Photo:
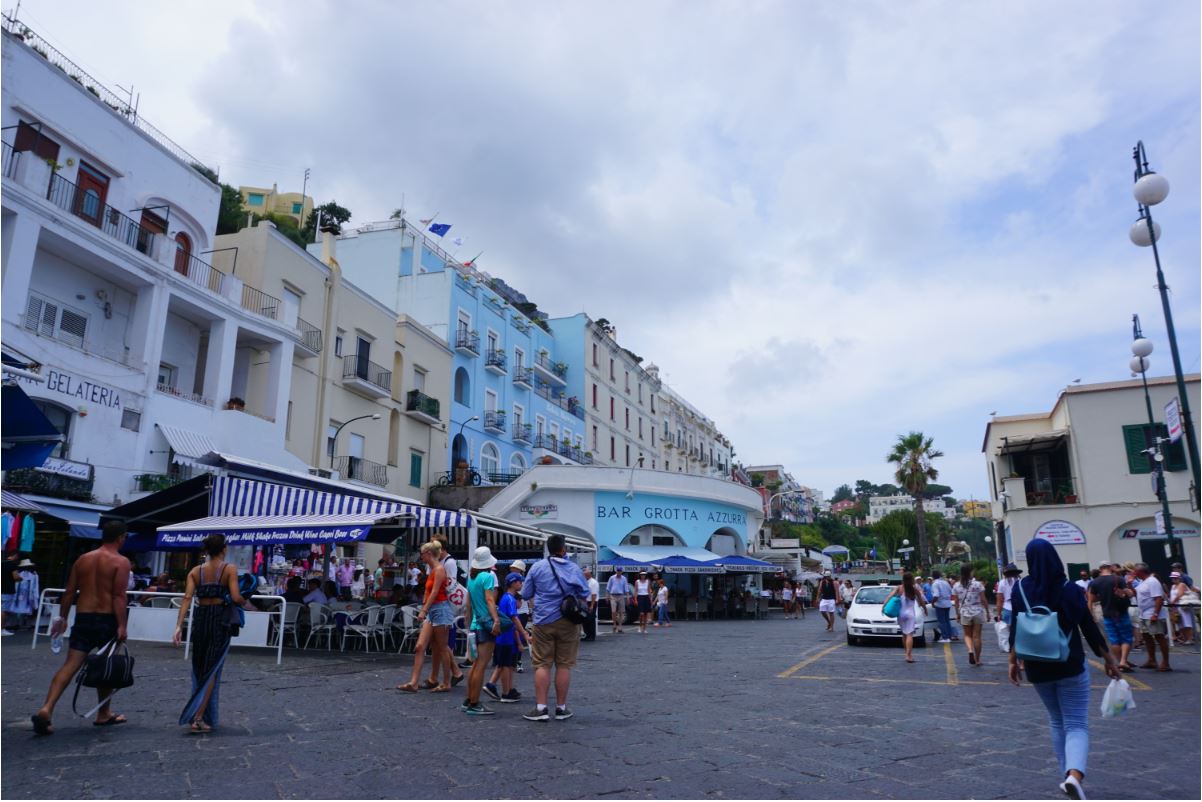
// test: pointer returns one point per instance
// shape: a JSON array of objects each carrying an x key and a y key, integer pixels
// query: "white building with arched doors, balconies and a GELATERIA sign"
[{"x": 141, "y": 341}]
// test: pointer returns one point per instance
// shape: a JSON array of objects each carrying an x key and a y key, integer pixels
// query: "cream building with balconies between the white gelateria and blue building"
[{"x": 354, "y": 359}]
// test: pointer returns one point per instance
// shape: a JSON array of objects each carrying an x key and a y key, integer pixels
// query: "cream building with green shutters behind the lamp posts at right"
[{"x": 1079, "y": 478}]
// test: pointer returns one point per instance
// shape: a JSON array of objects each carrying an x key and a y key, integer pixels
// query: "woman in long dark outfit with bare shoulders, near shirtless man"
[{"x": 215, "y": 585}]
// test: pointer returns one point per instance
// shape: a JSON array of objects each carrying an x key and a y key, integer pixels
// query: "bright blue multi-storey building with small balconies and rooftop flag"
[{"x": 511, "y": 406}]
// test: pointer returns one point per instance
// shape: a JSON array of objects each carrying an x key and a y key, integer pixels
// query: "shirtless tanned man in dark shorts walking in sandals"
[{"x": 100, "y": 578}]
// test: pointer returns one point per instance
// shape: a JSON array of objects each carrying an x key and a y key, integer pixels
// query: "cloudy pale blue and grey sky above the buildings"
[{"x": 829, "y": 223}]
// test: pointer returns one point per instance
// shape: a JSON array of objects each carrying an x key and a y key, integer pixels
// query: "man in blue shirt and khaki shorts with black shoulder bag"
[{"x": 556, "y": 639}]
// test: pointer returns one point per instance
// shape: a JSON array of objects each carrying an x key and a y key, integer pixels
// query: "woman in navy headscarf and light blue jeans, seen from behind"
[{"x": 1063, "y": 687}]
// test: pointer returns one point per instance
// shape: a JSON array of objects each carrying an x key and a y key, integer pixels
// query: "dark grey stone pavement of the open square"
[{"x": 766, "y": 710}]
